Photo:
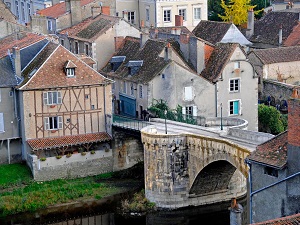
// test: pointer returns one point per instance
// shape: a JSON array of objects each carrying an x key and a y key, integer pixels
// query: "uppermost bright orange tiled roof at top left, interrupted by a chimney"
[{"x": 59, "y": 9}]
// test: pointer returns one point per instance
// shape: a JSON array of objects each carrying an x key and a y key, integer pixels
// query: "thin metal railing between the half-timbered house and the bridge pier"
[{"x": 129, "y": 123}]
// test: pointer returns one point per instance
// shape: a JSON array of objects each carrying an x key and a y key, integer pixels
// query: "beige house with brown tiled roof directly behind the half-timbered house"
[{"x": 97, "y": 37}]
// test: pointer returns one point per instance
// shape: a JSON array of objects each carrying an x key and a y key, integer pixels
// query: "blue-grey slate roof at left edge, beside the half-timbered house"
[{"x": 7, "y": 77}]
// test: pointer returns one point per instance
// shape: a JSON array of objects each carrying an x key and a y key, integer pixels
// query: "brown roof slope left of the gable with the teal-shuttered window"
[{"x": 217, "y": 60}]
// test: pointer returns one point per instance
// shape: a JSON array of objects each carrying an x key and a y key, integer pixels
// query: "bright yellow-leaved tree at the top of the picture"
[{"x": 237, "y": 11}]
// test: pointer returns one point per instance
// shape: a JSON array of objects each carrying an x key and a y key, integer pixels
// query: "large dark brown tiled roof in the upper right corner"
[{"x": 266, "y": 30}]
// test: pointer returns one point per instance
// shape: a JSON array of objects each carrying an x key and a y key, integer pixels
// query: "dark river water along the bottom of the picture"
[{"x": 217, "y": 214}]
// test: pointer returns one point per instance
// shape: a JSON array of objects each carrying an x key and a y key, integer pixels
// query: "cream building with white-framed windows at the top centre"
[{"x": 162, "y": 13}]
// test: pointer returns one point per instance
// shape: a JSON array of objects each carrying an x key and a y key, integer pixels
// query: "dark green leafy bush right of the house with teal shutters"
[{"x": 270, "y": 120}]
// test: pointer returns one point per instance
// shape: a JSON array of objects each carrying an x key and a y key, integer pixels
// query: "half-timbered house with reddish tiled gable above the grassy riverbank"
[{"x": 65, "y": 109}]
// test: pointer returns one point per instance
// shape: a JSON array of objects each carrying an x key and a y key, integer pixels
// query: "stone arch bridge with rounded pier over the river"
[{"x": 190, "y": 170}]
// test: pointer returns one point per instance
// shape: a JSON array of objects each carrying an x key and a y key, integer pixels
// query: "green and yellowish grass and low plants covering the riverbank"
[{"x": 20, "y": 193}]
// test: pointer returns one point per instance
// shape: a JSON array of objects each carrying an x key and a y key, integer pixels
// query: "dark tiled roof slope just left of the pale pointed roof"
[{"x": 211, "y": 31}]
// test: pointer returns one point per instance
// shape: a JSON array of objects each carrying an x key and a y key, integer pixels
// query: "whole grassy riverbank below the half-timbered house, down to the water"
[{"x": 21, "y": 194}]
